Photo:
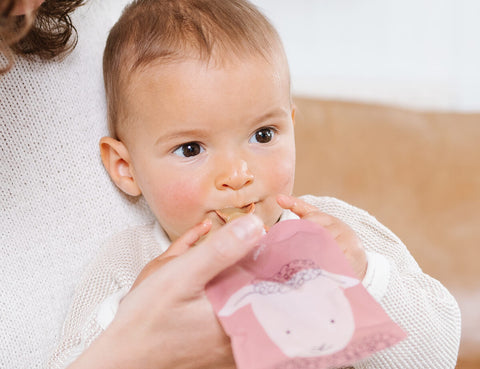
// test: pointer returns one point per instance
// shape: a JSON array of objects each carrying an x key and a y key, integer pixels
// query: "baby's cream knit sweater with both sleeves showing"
[{"x": 417, "y": 302}]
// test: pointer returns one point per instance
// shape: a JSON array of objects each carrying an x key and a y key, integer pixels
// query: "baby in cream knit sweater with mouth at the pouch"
[{"x": 202, "y": 125}]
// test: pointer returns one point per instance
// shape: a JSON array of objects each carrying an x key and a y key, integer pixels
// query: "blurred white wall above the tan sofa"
[{"x": 421, "y": 54}]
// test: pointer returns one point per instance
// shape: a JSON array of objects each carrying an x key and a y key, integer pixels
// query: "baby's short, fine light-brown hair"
[{"x": 169, "y": 31}]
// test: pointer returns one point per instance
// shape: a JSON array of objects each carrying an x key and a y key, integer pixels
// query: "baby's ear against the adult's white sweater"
[{"x": 116, "y": 159}]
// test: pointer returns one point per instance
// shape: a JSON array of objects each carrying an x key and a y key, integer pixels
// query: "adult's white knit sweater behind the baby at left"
[{"x": 57, "y": 202}]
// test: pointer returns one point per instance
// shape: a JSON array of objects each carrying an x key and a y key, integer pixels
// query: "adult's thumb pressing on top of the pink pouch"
[{"x": 220, "y": 250}]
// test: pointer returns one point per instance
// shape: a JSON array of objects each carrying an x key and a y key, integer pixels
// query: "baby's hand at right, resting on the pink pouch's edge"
[{"x": 341, "y": 232}]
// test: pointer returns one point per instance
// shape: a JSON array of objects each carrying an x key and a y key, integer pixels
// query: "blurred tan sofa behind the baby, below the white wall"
[{"x": 418, "y": 173}]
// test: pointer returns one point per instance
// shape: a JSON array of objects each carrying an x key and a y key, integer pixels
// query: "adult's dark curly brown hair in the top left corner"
[{"x": 47, "y": 33}]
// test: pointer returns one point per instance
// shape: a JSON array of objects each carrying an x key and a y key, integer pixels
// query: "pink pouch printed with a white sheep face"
[{"x": 295, "y": 303}]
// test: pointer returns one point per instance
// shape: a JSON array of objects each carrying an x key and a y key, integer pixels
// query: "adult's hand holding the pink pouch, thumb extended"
[{"x": 167, "y": 320}]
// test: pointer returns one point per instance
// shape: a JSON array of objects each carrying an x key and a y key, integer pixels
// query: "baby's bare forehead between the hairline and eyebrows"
[{"x": 231, "y": 87}]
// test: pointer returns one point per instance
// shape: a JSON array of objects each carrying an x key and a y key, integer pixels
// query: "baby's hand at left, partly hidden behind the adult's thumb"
[{"x": 182, "y": 244}]
